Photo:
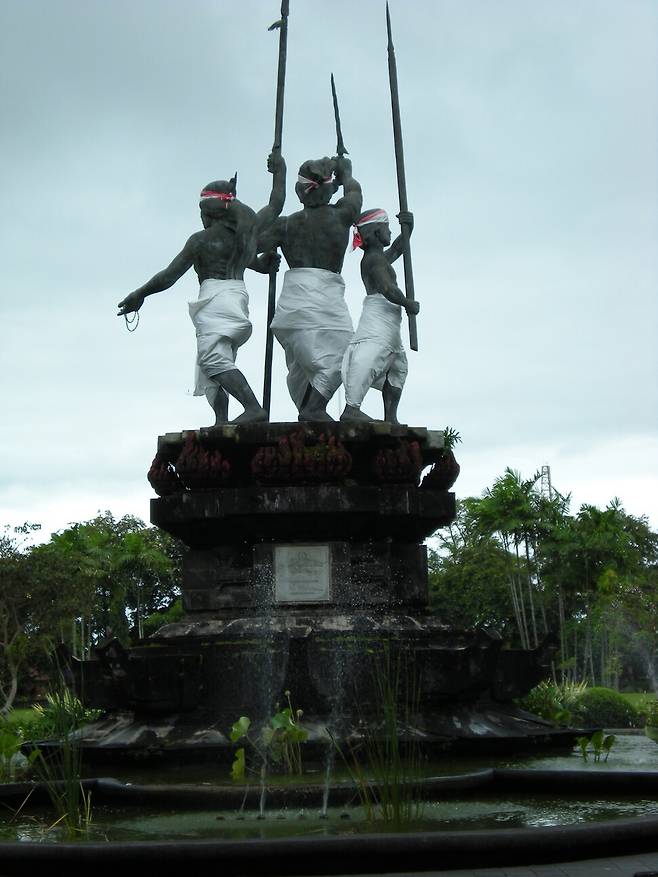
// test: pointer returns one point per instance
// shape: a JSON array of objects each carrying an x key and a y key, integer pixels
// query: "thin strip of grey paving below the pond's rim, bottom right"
[{"x": 621, "y": 866}]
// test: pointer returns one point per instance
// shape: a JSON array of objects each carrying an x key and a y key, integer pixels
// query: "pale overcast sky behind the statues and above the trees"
[{"x": 530, "y": 140}]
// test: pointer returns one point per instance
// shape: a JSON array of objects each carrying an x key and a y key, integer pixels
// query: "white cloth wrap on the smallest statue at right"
[{"x": 375, "y": 354}]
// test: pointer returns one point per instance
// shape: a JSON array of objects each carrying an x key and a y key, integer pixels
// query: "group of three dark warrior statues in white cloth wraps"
[{"x": 311, "y": 320}]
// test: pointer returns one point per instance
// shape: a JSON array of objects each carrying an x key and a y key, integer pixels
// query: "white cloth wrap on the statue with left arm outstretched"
[{"x": 221, "y": 319}]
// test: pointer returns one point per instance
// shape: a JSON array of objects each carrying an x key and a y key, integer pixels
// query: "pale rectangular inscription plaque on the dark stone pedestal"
[{"x": 302, "y": 573}]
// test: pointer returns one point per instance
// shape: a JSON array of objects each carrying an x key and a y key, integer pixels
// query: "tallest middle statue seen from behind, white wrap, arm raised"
[{"x": 311, "y": 321}]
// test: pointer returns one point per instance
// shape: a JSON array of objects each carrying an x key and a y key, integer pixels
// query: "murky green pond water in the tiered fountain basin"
[{"x": 480, "y": 810}]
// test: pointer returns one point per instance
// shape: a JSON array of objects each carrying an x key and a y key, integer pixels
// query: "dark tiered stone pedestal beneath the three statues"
[{"x": 306, "y": 559}]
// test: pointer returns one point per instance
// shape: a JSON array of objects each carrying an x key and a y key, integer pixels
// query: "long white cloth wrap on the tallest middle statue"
[{"x": 314, "y": 327}]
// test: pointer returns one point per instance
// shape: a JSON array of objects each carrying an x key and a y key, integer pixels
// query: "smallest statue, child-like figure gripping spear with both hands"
[{"x": 375, "y": 356}]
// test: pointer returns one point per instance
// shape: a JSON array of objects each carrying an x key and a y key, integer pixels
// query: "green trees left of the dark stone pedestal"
[{"x": 93, "y": 580}]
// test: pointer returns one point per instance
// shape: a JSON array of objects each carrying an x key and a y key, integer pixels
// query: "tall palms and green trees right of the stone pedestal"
[{"x": 516, "y": 560}]
